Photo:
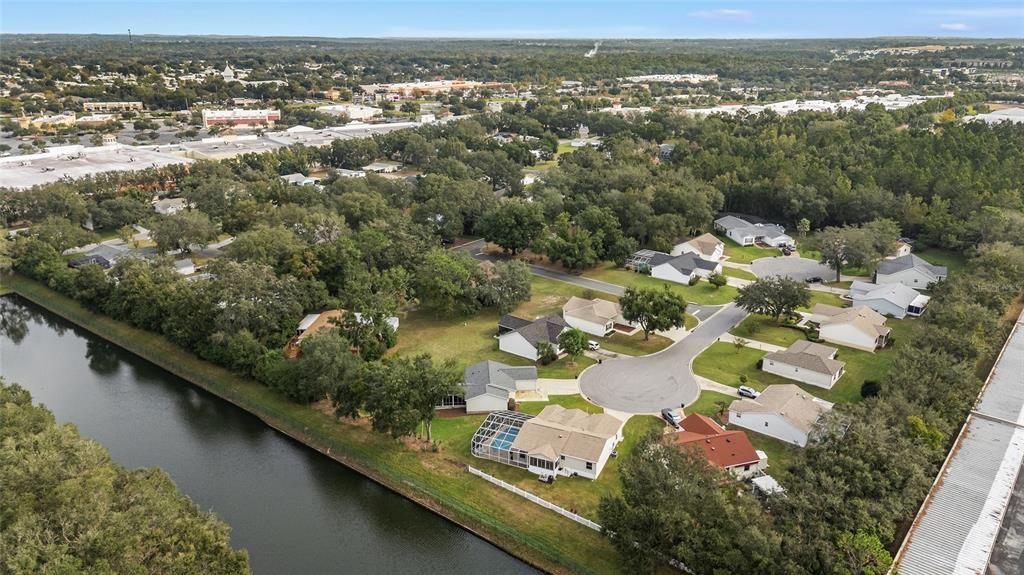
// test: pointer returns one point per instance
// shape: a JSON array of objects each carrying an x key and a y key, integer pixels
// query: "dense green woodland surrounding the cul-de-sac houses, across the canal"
[{"x": 377, "y": 245}]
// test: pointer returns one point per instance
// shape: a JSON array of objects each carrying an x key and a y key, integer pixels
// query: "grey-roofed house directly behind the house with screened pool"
[{"x": 488, "y": 386}]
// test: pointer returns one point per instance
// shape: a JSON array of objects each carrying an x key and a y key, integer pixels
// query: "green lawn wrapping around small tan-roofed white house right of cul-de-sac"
[{"x": 724, "y": 363}]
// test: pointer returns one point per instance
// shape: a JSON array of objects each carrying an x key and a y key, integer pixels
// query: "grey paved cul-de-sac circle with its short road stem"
[{"x": 649, "y": 384}]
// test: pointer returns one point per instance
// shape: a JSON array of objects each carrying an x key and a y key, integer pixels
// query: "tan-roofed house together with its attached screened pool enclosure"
[{"x": 557, "y": 441}]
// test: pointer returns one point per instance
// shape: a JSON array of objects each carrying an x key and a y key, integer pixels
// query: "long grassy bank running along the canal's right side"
[{"x": 436, "y": 479}]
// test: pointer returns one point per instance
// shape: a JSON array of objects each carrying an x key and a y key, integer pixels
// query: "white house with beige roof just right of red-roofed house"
[{"x": 785, "y": 412}]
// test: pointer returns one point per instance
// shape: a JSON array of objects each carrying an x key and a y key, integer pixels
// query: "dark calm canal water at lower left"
[{"x": 294, "y": 510}]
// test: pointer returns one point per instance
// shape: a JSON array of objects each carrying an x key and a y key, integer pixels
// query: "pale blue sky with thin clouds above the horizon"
[{"x": 523, "y": 19}]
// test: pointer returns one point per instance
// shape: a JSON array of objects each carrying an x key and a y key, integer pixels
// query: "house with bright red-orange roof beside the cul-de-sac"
[{"x": 731, "y": 451}]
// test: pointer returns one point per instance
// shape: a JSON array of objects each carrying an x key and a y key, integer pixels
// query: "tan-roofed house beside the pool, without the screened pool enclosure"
[{"x": 568, "y": 443}]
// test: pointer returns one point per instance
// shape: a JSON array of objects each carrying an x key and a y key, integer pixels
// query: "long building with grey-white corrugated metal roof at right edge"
[{"x": 960, "y": 526}]
